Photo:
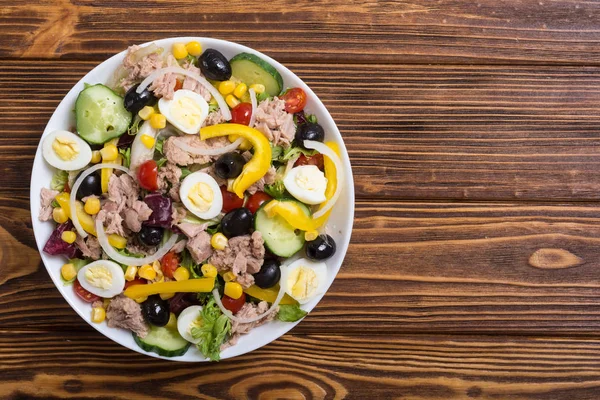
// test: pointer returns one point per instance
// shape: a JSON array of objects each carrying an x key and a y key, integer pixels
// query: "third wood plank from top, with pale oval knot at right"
[{"x": 411, "y": 267}]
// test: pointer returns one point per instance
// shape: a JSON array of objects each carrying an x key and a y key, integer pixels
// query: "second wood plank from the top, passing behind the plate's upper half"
[{"x": 413, "y": 132}]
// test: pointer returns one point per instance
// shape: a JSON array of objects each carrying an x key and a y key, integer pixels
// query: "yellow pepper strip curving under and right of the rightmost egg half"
[{"x": 294, "y": 214}]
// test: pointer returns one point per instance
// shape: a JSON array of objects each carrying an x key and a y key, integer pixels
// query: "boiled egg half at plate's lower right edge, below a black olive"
[{"x": 303, "y": 279}]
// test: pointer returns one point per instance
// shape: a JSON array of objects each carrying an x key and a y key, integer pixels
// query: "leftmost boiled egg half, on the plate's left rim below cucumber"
[{"x": 65, "y": 150}]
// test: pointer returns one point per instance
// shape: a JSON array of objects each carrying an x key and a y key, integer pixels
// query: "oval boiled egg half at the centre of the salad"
[{"x": 201, "y": 195}]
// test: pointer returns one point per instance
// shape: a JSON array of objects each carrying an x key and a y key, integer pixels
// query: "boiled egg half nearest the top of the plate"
[{"x": 186, "y": 111}]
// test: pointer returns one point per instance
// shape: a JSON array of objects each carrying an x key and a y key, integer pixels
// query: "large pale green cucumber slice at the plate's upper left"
[{"x": 100, "y": 114}]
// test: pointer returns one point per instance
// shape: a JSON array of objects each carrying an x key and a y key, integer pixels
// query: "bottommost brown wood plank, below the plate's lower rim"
[{"x": 67, "y": 364}]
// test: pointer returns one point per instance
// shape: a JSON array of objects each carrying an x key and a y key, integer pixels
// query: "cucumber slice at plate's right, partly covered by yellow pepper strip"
[{"x": 280, "y": 238}]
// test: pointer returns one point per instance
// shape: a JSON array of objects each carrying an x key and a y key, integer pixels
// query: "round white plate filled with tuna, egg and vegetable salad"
[{"x": 192, "y": 199}]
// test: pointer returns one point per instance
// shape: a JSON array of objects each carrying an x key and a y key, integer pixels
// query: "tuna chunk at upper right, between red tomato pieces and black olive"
[{"x": 274, "y": 122}]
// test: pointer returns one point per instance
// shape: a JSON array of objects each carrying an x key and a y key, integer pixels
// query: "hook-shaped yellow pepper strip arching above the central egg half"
[{"x": 260, "y": 162}]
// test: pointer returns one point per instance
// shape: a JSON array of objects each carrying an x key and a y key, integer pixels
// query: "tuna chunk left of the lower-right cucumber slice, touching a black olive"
[{"x": 244, "y": 255}]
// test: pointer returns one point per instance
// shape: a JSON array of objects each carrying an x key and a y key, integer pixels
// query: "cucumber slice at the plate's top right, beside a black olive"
[{"x": 252, "y": 69}]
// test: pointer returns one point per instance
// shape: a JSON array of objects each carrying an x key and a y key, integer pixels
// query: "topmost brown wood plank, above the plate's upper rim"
[{"x": 447, "y": 31}]
